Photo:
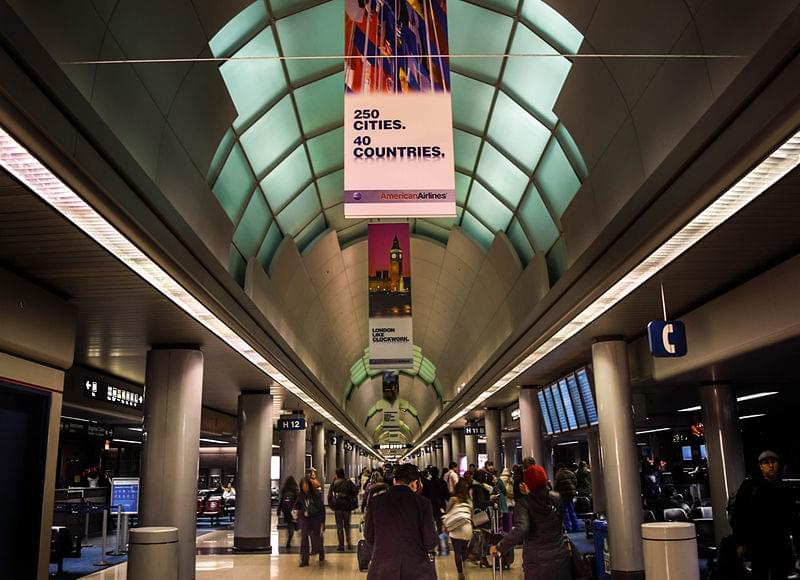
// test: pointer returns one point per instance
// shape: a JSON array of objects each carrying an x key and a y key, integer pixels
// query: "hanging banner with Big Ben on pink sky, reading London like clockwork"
[{"x": 390, "y": 342}]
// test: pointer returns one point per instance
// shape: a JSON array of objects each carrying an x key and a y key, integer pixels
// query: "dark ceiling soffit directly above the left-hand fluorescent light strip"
[{"x": 41, "y": 92}]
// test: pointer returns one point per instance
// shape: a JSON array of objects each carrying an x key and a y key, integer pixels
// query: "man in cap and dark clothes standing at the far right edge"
[{"x": 763, "y": 516}]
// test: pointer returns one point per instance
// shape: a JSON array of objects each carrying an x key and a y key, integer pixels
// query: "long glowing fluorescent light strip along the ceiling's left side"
[{"x": 26, "y": 168}]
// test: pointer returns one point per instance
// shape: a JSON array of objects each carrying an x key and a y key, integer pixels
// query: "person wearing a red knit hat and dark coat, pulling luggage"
[{"x": 538, "y": 526}]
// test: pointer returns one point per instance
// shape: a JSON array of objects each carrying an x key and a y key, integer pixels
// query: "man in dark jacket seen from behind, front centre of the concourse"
[{"x": 399, "y": 524}]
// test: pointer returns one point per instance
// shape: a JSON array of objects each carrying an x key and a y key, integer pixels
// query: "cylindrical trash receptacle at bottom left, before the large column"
[{"x": 153, "y": 553}]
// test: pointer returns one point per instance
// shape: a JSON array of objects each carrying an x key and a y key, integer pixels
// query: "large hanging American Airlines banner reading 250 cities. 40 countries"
[{"x": 398, "y": 133}]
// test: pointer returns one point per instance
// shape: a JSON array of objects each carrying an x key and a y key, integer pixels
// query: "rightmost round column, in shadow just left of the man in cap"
[{"x": 726, "y": 467}]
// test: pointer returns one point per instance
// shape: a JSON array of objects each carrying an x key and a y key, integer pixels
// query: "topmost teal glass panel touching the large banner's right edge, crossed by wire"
[{"x": 473, "y": 25}]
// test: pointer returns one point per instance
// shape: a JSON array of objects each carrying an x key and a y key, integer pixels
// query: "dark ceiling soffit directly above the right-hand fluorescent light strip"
[{"x": 752, "y": 117}]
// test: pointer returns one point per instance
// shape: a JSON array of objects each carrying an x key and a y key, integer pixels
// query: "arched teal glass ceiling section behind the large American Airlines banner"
[{"x": 278, "y": 171}]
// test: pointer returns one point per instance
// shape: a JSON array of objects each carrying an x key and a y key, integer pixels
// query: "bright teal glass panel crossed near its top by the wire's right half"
[{"x": 535, "y": 82}]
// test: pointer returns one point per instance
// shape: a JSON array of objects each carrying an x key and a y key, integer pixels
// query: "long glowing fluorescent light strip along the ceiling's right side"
[{"x": 759, "y": 179}]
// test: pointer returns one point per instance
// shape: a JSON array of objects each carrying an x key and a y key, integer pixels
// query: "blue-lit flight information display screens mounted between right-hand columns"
[{"x": 568, "y": 404}]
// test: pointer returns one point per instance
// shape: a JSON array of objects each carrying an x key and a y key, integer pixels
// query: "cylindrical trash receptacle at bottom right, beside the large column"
[{"x": 670, "y": 551}]
